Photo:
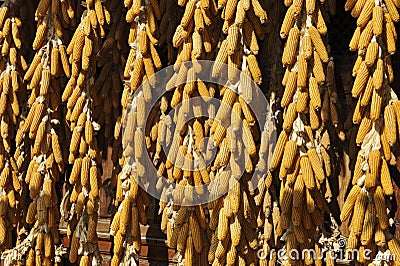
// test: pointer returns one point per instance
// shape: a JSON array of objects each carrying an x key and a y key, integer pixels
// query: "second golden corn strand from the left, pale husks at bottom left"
[{"x": 38, "y": 153}]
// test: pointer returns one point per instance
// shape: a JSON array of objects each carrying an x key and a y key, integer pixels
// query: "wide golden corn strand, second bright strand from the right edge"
[{"x": 301, "y": 149}]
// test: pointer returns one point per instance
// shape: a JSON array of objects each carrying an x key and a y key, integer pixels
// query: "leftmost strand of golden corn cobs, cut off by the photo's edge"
[{"x": 12, "y": 96}]
